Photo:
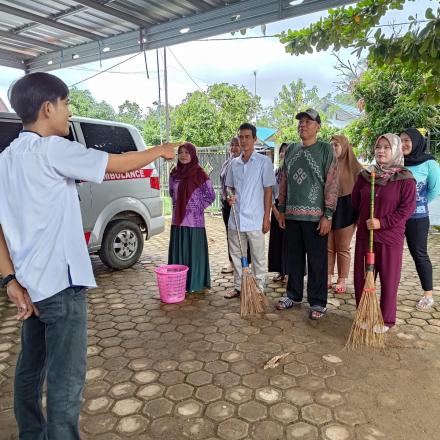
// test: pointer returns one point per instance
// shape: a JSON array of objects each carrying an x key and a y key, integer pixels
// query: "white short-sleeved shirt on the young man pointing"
[{"x": 40, "y": 212}]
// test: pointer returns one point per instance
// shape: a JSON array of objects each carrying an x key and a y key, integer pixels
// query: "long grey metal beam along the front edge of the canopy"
[{"x": 217, "y": 21}]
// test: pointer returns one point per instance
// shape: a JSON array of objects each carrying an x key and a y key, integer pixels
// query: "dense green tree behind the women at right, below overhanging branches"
[{"x": 384, "y": 95}]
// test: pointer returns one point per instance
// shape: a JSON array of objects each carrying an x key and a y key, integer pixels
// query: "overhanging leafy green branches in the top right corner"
[{"x": 417, "y": 50}]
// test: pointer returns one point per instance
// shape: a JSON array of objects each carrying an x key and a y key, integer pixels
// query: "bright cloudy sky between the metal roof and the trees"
[{"x": 209, "y": 62}]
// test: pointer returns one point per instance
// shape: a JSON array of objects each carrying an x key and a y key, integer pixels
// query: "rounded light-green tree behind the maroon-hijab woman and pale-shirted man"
[{"x": 213, "y": 117}]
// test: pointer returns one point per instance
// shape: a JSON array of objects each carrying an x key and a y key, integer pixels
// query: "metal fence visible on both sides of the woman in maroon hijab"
[{"x": 211, "y": 159}]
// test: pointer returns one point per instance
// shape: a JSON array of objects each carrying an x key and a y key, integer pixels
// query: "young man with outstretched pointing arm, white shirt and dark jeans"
[{"x": 43, "y": 254}]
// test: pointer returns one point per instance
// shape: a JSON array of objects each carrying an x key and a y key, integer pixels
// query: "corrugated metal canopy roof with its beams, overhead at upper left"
[{"x": 44, "y": 35}]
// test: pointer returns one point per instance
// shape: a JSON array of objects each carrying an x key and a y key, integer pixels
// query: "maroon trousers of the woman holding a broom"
[{"x": 388, "y": 265}]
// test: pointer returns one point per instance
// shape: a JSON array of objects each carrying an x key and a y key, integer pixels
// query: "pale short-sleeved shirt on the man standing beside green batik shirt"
[{"x": 249, "y": 179}]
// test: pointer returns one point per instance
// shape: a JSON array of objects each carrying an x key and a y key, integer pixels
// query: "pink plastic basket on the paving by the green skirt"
[{"x": 171, "y": 280}]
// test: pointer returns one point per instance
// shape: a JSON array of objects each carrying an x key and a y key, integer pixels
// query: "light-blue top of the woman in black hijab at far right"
[{"x": 427, "y": 175}]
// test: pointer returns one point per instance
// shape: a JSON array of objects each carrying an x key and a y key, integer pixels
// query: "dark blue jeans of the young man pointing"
[{"x": 53, "y": 346}]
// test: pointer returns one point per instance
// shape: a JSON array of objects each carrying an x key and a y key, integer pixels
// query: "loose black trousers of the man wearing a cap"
[{"x": 303, "y": 239}]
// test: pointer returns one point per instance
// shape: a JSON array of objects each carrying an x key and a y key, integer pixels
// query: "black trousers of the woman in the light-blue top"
[{"x": 416, "y": 233}]
